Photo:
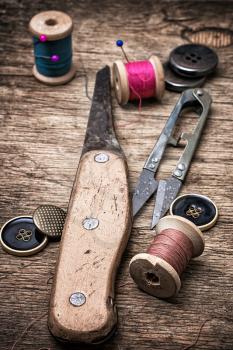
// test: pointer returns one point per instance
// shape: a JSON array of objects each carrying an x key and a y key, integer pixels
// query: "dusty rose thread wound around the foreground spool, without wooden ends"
[{"x": 174, "y": 247}]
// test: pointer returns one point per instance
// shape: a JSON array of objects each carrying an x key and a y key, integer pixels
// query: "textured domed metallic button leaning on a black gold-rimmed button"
[{"x": 50, "y": 220}]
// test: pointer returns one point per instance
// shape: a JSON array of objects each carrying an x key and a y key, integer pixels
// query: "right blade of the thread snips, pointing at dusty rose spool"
[{"x": 166, "y": 193}]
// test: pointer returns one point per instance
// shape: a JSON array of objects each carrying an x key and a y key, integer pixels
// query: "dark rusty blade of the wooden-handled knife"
[{"x": 100, "y": 133}]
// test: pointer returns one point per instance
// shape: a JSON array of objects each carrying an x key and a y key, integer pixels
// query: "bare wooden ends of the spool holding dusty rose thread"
[{"x": 155, "y": 275}]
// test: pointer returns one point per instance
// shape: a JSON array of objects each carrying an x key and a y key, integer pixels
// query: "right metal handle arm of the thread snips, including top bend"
[{"x": 183, "y": 164}]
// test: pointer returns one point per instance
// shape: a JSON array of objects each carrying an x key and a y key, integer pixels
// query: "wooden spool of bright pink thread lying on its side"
[{"x": 138, "y": 80}]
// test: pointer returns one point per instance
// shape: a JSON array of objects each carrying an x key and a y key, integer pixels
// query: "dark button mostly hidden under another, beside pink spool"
[{"x": 178, "y": 83}]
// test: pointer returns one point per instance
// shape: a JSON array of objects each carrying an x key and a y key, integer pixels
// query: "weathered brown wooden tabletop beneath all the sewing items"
[{"x": 42, "y": 132}]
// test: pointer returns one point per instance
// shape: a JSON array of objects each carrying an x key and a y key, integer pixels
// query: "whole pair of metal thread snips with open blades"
[{"x": 165, "y": 191}]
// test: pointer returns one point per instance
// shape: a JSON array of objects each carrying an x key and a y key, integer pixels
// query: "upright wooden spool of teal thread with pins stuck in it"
[{"x": 52, "y": 41}]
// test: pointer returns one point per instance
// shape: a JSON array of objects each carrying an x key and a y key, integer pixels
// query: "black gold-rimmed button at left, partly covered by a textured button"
[{"x": 19, "y": 236}]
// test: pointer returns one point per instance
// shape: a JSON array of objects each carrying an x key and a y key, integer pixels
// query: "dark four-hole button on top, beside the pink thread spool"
[{"x": 193, "y": 60}]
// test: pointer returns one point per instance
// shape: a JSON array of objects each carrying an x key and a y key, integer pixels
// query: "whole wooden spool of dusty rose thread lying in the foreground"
[{"x": 158, "y": 271}]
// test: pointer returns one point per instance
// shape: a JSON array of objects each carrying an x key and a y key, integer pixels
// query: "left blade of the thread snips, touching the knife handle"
[{"x": 146, "y": 186}]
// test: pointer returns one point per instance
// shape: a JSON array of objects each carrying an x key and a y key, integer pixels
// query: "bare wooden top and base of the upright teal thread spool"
[{"x": 55, "y": 25}]
